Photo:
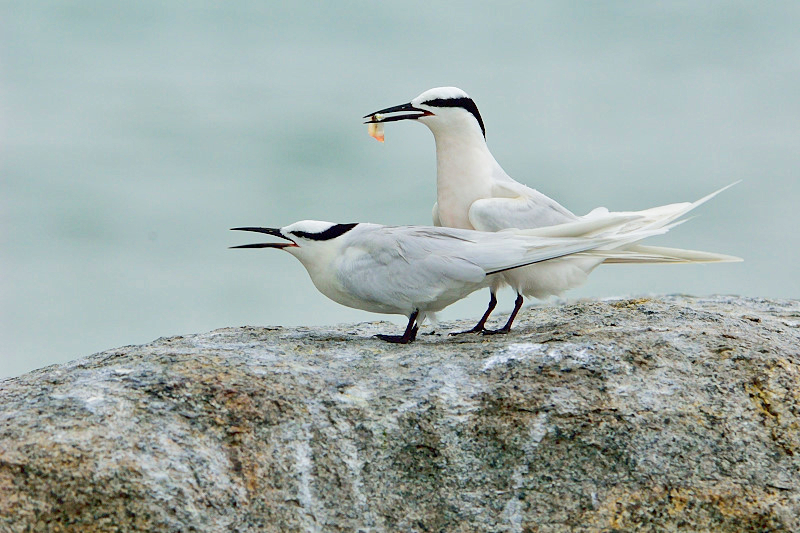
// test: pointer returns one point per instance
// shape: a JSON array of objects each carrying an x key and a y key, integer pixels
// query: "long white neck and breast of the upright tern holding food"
[{"x": 464, "y": 173}]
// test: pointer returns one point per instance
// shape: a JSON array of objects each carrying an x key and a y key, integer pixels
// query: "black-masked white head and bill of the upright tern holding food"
[{"x": 442, "y": 109}]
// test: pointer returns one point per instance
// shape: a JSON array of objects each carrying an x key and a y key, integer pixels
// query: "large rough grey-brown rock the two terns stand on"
[{"x": 660, "y": 414}]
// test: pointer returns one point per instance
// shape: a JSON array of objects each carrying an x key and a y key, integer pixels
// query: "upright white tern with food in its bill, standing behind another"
[{"x": 474, "y": 192}]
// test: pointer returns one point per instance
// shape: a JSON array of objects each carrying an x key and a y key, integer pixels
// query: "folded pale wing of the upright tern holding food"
[{"x": 514, "y": 205}]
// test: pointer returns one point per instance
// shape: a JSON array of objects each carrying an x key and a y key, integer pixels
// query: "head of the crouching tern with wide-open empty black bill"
[{"x": 304, "y": 239}]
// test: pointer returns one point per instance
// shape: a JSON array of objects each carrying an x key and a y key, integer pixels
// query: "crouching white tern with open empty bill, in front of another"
[{"x": 416, "y": 271}]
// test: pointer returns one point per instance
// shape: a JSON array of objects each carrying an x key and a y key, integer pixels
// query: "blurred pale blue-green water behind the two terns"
[{"x": 134, "y": 134}]
